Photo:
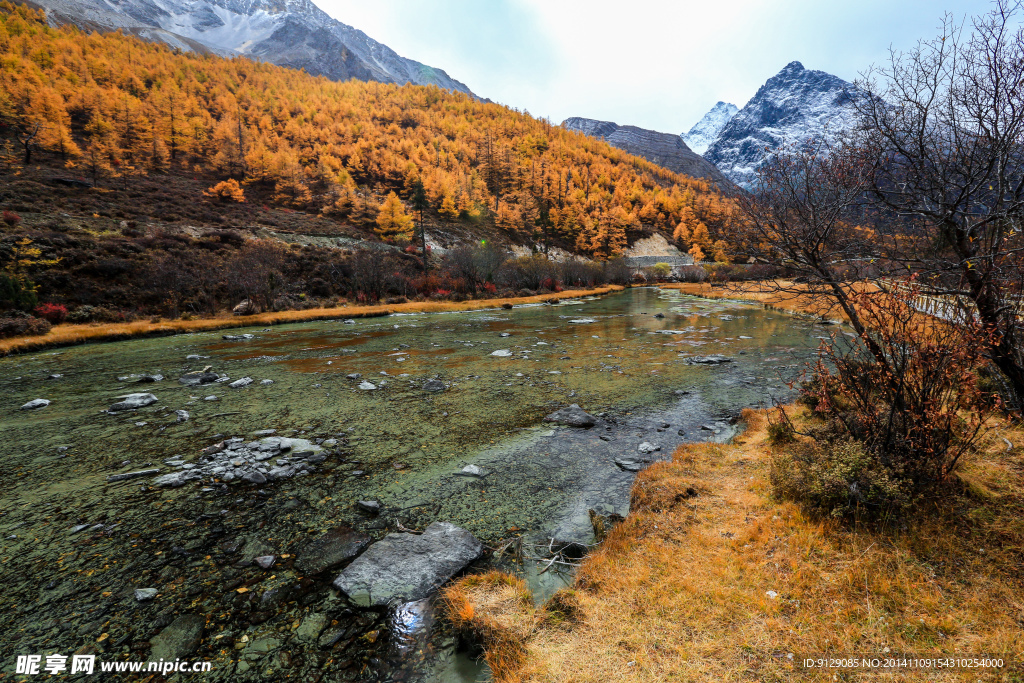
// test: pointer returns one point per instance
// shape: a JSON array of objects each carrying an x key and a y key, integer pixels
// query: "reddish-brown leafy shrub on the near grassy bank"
[{"x": 908, "y": 395}]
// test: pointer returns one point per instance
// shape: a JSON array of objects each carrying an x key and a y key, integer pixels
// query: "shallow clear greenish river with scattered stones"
[{"x": 75, "y": 547}]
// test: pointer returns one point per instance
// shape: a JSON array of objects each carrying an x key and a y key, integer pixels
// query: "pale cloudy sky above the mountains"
[{"x": 654, "y": 64}]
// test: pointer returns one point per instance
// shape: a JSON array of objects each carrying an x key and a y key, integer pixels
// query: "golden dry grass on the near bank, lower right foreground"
[{"x": 679, "y": 591}]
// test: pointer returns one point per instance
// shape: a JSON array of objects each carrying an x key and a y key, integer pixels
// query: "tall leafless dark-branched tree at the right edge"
[{"x": 944, "y": 129}]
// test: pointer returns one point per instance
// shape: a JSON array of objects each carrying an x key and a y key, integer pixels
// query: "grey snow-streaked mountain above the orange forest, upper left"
[{"x": 290, "y": 33}]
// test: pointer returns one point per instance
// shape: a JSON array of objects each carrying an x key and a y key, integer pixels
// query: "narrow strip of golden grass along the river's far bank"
[{"x": 67, "y": 335}]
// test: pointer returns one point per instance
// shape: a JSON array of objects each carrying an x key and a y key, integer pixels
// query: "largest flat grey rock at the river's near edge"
[{"x": 403, "y": 568}]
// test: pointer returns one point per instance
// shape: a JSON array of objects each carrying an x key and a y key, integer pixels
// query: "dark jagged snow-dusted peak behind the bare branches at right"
[{"x": 793, "y": 107}]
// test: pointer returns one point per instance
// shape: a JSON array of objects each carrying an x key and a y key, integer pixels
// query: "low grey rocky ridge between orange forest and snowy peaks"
[{"x": 662, "y": 149}]
